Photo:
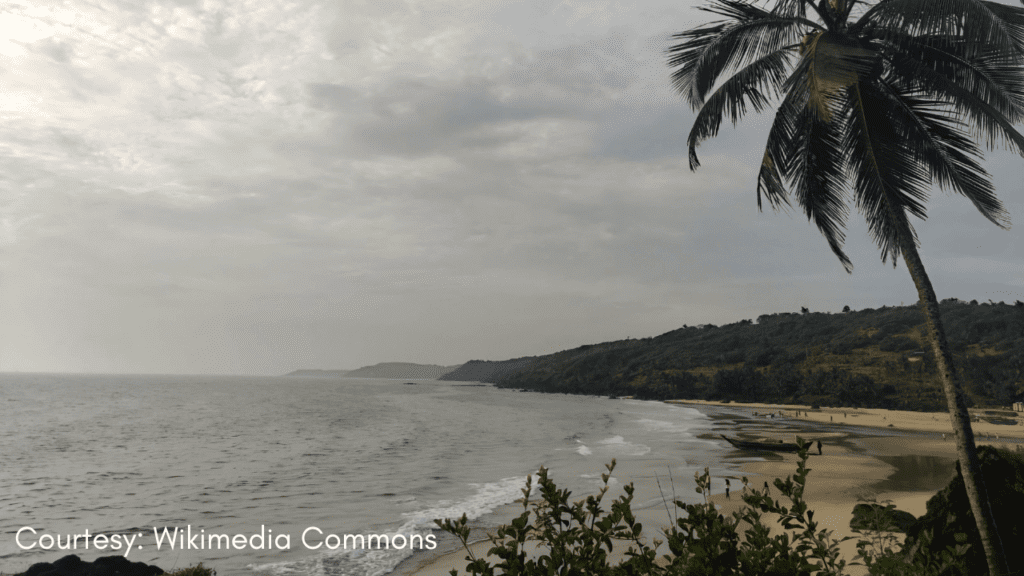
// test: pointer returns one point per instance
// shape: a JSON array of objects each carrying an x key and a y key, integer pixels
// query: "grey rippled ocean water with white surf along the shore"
[{"x": 270, "y": 459}]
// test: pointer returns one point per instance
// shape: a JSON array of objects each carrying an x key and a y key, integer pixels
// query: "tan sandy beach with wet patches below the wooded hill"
[{"x": 882, "y": 455}]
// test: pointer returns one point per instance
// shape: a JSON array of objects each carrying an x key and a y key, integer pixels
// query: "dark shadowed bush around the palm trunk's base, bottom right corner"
[{"x": 950, "y": 523}]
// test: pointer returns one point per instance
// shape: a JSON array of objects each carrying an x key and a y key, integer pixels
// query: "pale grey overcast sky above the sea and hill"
[{"x": 257, "y": 187}]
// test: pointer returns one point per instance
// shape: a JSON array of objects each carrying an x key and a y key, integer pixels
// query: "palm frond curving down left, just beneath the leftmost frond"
[{"x": 753, "y": 86}]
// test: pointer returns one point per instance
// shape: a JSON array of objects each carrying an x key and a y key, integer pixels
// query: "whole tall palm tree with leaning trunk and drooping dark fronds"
[{"x": 881, "y": 100}]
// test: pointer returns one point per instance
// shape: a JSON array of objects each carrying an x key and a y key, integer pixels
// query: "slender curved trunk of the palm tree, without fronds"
[{"x": 966, "y": 451}]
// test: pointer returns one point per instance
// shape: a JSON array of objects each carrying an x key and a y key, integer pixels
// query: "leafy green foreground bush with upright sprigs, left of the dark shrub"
[{"x": 570, "y": 539}]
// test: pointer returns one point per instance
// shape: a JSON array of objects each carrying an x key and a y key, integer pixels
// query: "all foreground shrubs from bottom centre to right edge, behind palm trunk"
[{"x": 556, "y": 536}]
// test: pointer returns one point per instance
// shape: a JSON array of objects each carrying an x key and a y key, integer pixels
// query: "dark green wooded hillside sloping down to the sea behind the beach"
[{"x": 869, "y": 358}]
